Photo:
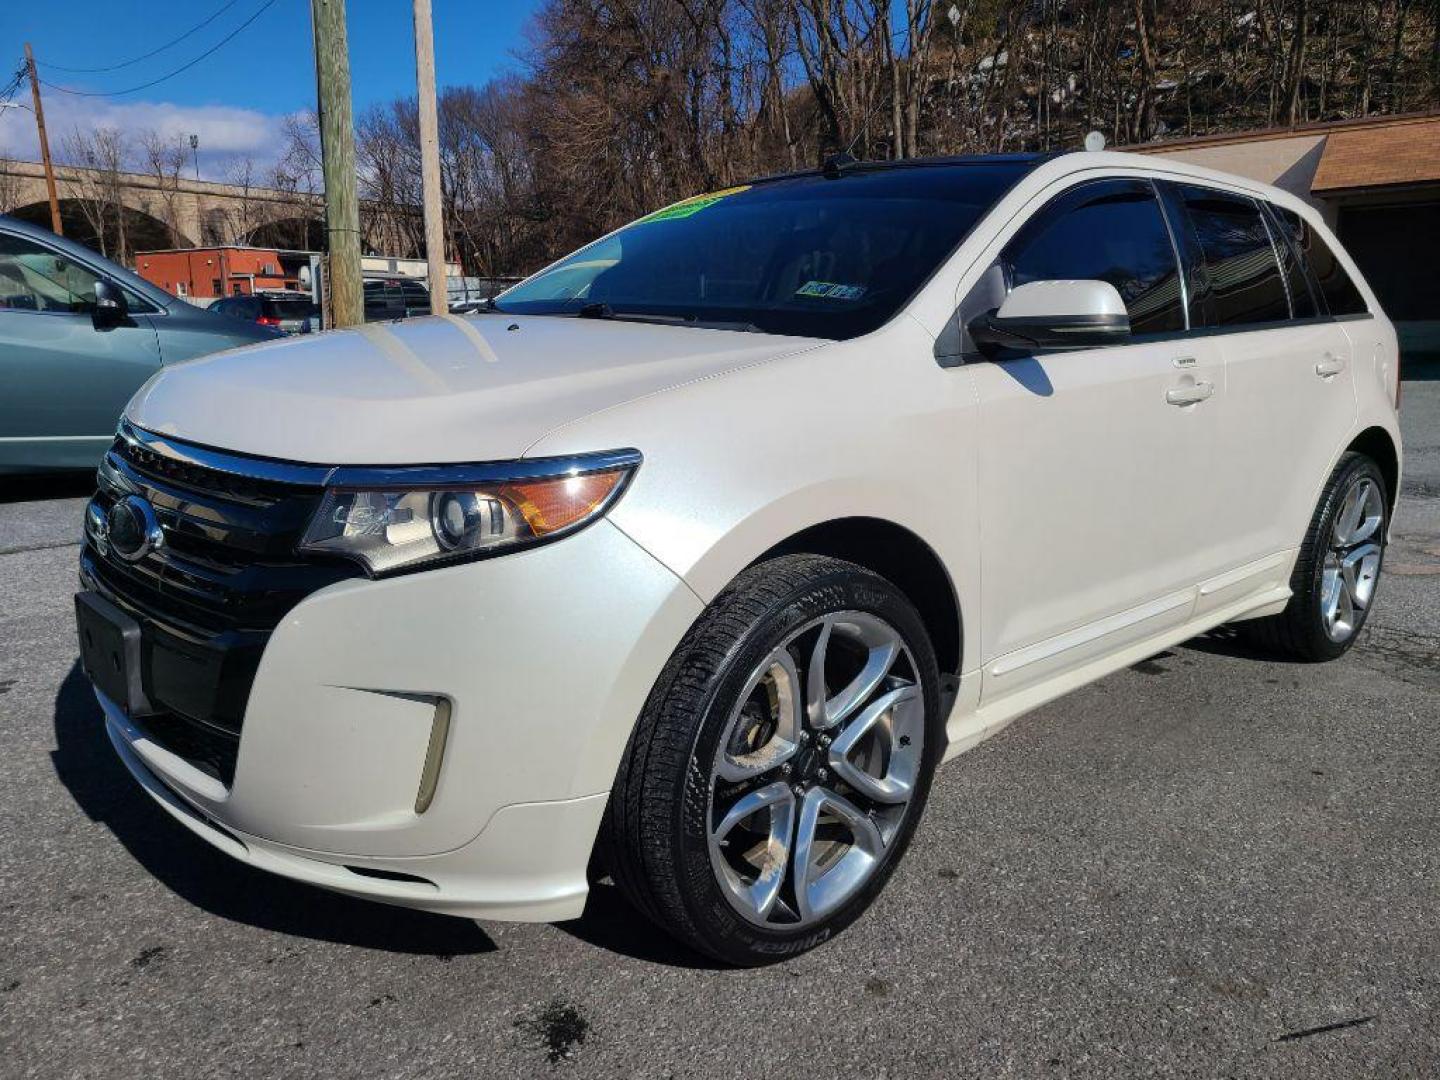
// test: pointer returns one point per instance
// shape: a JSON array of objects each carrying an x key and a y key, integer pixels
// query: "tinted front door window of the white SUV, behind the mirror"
[{"x": 1105, "y": 231}]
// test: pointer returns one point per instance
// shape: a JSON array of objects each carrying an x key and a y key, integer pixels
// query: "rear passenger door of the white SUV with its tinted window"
[{"x": 1288, "y": 375}]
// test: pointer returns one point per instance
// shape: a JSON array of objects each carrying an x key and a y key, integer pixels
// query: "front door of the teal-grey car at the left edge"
[{"x": 63, "y": 381}]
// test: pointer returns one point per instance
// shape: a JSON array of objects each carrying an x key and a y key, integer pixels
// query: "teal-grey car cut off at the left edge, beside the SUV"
[{"x": 78, "y": 336}]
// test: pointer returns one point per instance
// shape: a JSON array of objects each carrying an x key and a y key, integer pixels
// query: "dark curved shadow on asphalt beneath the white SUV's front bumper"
[{"x": 87, "y": 765}]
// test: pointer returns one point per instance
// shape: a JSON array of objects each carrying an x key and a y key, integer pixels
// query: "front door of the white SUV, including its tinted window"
[{"x": 1095, "y": 469}]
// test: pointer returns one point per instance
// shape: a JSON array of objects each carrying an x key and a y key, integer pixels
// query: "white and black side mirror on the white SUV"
[{"x": 1053, "y": 315}]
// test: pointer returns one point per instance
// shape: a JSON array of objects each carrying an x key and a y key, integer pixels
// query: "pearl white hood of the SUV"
[{"x": 431, "y": 391}]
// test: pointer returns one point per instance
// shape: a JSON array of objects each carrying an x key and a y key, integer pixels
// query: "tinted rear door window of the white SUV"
[{"x": 1243, "y": 277}]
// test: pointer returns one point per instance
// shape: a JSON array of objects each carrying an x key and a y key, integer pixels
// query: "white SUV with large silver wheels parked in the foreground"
[{"x": 693, "y": 558}]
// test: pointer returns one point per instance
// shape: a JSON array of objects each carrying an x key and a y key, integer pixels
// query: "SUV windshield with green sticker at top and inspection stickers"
[{"x": 803, "y": 256}]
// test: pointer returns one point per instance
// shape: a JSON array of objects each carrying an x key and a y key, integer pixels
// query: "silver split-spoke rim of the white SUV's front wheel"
[{"x": 816, "y": 770}]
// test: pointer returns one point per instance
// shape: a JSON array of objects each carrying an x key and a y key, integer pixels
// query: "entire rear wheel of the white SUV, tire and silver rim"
[{"x": 1337, "y": 571}]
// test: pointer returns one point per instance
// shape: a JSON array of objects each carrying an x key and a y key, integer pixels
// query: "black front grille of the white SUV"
[{"x": 211, "y": 595}]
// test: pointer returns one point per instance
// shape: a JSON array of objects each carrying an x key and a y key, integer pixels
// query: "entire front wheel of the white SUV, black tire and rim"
[{"x": 734, "y": 728}]
